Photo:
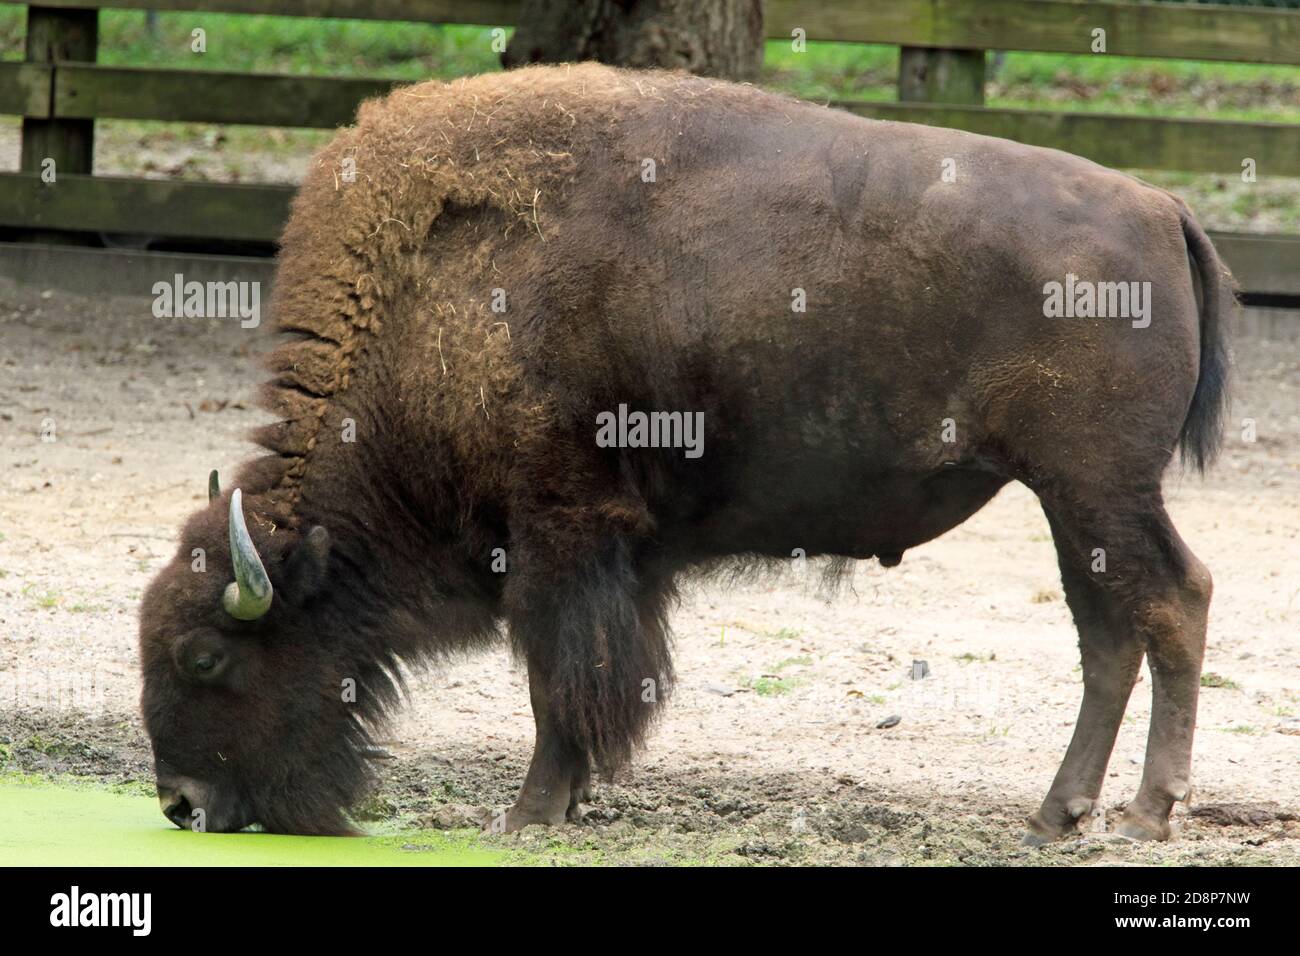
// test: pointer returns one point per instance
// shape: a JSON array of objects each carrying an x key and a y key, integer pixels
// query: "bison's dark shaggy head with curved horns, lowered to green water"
[{"x": 246, "y": 678}]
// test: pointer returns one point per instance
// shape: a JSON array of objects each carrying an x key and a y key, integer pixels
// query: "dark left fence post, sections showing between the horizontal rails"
[{"x": 53, "y": 36}]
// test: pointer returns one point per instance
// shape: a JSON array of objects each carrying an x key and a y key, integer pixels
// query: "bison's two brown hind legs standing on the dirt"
[{"x": 1134, "y": 589}]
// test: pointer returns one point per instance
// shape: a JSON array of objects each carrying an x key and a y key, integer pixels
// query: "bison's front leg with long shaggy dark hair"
[{"x": 599, "y": 667}]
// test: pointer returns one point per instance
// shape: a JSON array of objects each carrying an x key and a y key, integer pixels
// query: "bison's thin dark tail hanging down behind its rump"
[{"x": 1202, "y": 434}]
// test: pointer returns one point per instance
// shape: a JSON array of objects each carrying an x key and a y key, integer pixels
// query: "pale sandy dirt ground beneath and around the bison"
[{"x": 772, "y": 751}]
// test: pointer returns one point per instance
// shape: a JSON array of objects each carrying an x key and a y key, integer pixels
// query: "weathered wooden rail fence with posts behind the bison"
[{"x": 60, "y": 92}]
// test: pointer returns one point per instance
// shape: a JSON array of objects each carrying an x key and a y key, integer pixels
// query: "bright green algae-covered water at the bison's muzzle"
[{"x": 51, "y": 825}]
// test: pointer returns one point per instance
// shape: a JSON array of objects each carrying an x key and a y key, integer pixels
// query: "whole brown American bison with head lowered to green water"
[{"x": 874, "y": 326}]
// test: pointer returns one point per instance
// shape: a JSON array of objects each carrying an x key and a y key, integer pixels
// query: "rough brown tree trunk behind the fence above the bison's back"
[{"x": 714, "y": 38}]
